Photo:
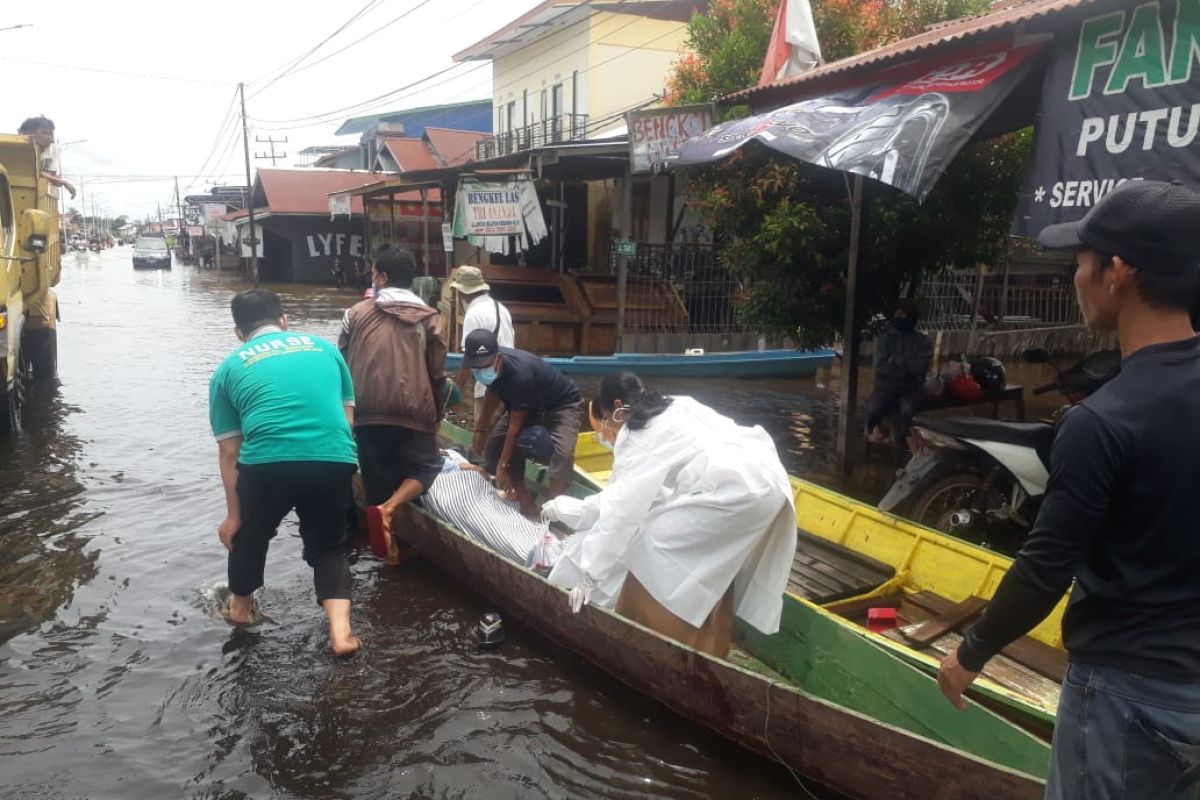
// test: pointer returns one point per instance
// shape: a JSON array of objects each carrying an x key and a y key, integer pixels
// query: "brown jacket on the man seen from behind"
[{"x": 397, "y": 350}]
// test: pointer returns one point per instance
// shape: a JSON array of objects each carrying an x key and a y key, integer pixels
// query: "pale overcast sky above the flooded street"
[{"x": 149, "y": 86}]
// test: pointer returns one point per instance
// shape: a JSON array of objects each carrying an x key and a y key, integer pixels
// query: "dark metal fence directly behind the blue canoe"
[{"x": 680, "y": 288}]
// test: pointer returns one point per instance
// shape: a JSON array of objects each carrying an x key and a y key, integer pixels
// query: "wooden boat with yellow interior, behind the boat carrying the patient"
[{"x": 853, "y": 558}]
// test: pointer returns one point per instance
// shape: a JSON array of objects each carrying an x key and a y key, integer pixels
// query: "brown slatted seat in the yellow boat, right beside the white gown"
[{"x": 826, "y": 573}]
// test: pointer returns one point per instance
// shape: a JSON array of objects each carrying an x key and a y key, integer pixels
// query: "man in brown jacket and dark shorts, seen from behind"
[{"x": 395, "y": 346}]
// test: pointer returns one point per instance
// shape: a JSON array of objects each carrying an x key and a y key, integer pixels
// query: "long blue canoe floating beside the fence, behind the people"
[{"x": 746, "y": 364}]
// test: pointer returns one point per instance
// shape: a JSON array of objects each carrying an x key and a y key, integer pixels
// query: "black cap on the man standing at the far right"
[{"x": 1150, "y": 225}]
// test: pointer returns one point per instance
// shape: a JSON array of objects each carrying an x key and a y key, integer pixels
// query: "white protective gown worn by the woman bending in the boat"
[{"x": 695, "y": 503}]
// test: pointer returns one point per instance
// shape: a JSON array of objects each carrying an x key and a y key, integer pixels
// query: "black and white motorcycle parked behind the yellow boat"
[{"x": 983, "y": 480}]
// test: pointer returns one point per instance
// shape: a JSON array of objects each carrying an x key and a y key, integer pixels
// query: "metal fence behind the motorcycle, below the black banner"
[{"x": 1039, "y": 294}]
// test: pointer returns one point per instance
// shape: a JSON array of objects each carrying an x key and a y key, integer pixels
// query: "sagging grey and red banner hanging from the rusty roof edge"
[{"x": 902, "y": 129}]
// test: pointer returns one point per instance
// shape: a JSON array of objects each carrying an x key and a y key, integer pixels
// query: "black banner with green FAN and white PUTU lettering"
[{"x": 1121, "y": 101}]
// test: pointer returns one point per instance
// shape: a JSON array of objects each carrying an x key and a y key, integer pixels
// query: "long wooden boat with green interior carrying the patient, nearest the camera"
[{"x": 868, "y": 747}]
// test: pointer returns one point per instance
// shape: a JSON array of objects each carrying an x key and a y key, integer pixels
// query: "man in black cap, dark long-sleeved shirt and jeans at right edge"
[{"x": 1119, "y": 518}]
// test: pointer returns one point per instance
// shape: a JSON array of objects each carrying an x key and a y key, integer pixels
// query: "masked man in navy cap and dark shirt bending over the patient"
[{"x": 533, "y": 394}]
